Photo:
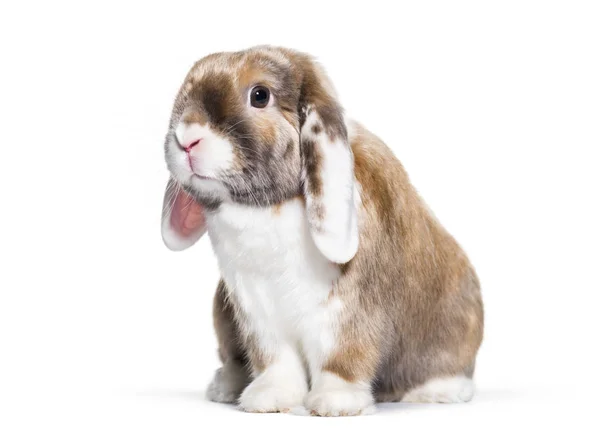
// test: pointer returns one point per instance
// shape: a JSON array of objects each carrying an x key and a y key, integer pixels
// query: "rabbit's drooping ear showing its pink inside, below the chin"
[{"x": 183, "y": 221}]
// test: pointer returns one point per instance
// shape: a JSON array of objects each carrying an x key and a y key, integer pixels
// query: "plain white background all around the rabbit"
[{"x": 493, "y": 107}]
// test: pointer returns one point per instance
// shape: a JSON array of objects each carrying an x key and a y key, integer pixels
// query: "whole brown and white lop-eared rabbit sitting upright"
[{"x": 339, "y": 288}]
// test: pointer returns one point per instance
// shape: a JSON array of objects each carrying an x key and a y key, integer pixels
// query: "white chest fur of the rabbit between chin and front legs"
[{"x": 280, "y": 279}]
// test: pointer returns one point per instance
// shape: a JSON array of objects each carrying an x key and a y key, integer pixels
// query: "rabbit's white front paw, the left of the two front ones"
[{"x": 265, "y": 395}]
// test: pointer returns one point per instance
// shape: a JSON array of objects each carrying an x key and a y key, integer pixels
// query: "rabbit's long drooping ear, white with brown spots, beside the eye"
[{"x": 329, "y": 168}]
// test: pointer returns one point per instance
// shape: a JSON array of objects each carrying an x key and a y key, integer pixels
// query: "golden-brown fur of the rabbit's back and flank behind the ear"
[{"x": 413, "y": 297}]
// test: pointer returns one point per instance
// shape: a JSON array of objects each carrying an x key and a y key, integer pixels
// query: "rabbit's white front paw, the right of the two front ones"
[{"x": 336, "y": 397}]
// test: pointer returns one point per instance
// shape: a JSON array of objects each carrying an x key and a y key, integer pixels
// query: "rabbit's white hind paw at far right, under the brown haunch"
[{"x": 457, "y": 389}]
